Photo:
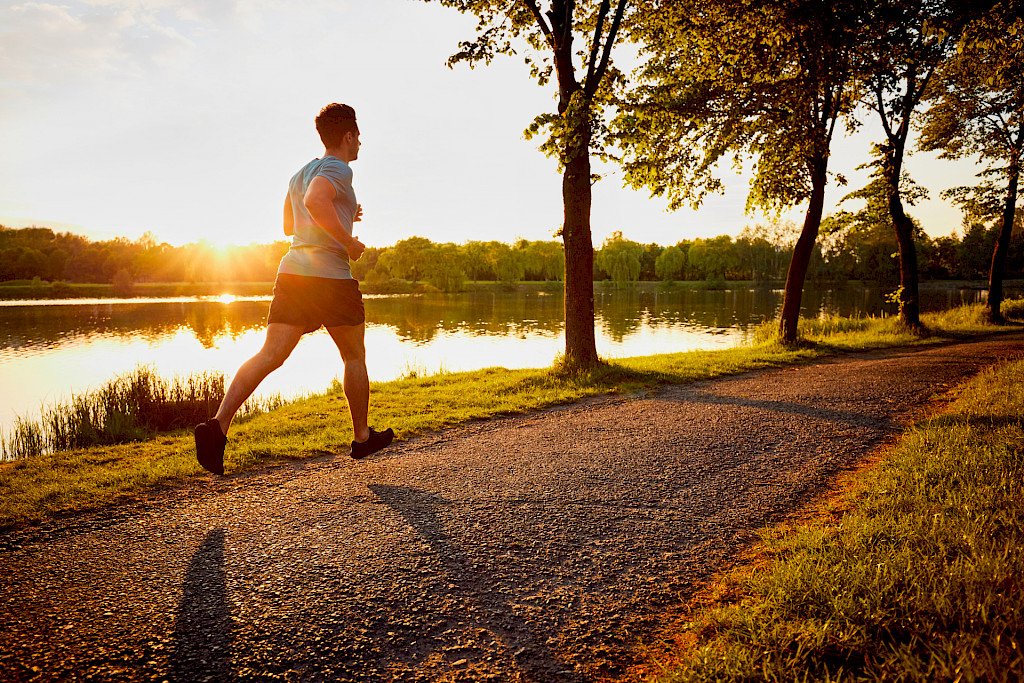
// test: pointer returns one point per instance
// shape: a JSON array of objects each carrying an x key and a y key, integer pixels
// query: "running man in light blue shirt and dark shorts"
[{"x": 315, "y": 288}]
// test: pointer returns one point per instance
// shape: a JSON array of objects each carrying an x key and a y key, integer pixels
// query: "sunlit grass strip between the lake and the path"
[{"x": 66, "y": 481}]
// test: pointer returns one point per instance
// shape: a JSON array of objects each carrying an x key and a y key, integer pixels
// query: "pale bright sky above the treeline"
[{"x": 188, "y": 118}]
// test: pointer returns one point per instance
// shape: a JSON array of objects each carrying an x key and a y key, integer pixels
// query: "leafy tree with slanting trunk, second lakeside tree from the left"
[{"x": 762, "y": 81}]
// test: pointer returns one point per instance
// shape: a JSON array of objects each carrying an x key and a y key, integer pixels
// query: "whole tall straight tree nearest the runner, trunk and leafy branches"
[{"x": 575, "y": 132}]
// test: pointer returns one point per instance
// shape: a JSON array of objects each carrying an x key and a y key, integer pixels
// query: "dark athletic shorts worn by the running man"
[{"x": 311, "y": 303}]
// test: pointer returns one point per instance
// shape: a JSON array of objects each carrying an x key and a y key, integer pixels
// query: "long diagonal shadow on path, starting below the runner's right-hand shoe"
[{"x": 421, "y": 510}]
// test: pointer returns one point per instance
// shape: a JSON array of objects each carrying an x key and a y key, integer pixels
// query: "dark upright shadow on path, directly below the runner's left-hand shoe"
[{"x": 203, "y": 630}]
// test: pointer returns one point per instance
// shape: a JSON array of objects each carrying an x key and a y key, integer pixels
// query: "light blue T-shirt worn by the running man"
[{"x": 314, "y": 252}]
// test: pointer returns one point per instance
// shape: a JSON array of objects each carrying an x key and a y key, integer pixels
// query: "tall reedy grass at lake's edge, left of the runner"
[{"x": 129, "y": 408}]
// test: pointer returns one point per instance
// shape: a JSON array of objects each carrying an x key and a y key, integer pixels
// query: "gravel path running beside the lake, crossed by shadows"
[{"x": 533, "y": 548}]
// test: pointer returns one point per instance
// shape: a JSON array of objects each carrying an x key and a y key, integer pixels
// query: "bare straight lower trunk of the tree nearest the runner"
[{"x": 581, "y": 348}]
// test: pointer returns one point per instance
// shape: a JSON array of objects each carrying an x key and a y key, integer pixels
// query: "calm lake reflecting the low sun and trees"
[{"x": 50, "y": 351}]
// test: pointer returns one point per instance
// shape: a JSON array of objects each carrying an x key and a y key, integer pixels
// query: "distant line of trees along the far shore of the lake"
[{"x": 850, "y": 249}]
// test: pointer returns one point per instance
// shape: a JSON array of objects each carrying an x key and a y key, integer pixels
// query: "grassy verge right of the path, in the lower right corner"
[{"x": 914, "y": 573}]
